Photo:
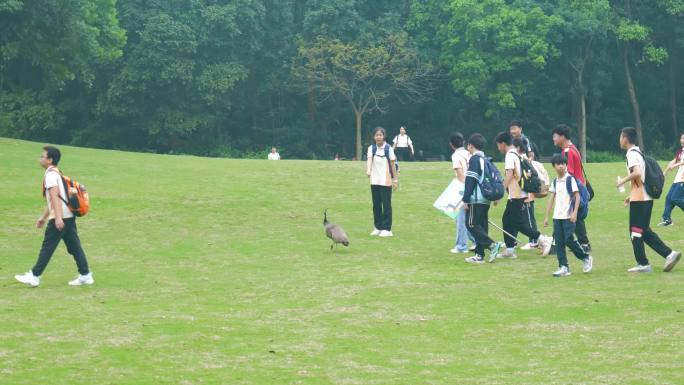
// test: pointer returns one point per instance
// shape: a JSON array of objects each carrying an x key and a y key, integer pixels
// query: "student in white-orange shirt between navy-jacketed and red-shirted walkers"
[{"x": 514, "y": 218}]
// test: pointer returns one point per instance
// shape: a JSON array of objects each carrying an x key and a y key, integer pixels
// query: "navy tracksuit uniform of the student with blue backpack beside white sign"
[{"x": 477, "y": 215}]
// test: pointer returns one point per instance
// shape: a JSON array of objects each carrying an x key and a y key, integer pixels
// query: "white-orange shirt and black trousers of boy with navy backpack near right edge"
[{"x": 640, "y": 209}]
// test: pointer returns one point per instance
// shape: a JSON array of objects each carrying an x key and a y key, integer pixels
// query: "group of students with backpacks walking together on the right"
[{"x": 569, "y": 193}]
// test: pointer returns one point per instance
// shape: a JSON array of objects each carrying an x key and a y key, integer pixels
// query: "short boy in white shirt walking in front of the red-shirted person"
[{"x": 564, "y": 198}]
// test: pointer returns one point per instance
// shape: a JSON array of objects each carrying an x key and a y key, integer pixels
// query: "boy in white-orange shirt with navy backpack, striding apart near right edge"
[{"x": 640, "y": 208}]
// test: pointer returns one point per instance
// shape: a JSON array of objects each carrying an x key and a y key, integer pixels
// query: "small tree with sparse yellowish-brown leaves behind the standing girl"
[{"x": 365, "y": 76}]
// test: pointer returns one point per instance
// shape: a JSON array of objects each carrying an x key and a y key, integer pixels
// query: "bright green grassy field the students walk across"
[{"x": 214, "y": 271}]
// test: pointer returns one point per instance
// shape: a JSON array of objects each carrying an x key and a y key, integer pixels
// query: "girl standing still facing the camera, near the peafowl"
[{"x": 382, "y": 172}]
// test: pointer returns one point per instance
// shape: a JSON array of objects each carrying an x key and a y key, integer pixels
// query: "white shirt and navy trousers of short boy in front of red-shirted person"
[{"x": 563, "y": 228}]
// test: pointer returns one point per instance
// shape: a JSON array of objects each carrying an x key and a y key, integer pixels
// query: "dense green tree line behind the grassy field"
[{"x": 313, "y": 77}]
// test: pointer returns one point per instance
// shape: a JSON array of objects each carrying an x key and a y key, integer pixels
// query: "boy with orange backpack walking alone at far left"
[{"x": 66, "y": 199}]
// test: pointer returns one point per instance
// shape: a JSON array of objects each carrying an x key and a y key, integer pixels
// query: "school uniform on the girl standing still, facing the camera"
[{"x": 381, "y": 186}]
